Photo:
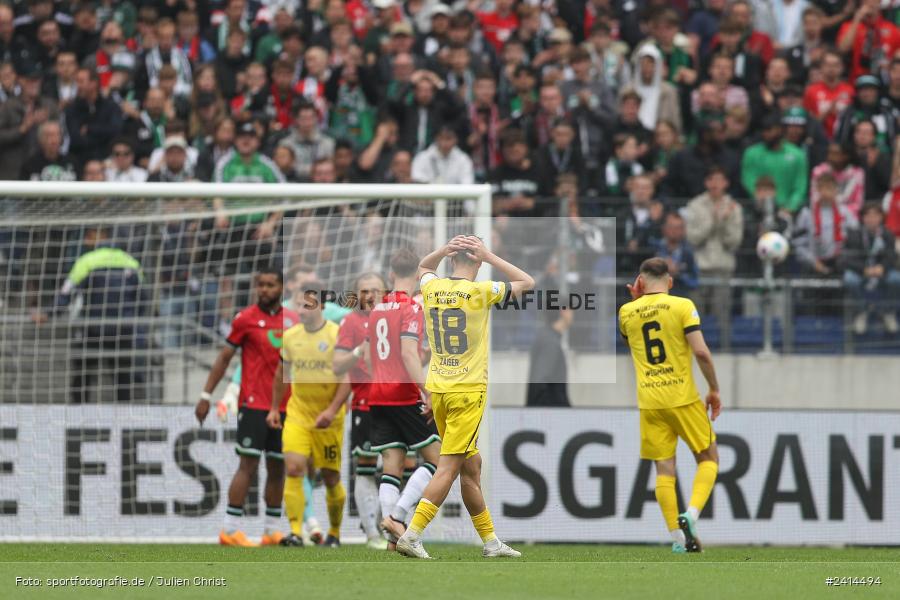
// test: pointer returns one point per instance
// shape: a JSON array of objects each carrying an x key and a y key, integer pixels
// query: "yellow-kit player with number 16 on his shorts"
[{"x": 313, "y": 430}]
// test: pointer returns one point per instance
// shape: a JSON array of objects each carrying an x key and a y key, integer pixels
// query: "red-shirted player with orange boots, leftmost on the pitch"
[{"x": 257, "y": 332}]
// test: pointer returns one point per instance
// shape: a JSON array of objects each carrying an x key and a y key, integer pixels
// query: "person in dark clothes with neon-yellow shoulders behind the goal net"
[{"x": 114, "y": 305}]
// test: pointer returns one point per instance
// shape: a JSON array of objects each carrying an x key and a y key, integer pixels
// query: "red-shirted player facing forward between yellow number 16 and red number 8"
[{"x": 348, "y": 357}]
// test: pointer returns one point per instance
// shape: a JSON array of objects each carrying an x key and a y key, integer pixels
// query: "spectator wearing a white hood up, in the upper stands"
[{"x": 659, "y": 98}]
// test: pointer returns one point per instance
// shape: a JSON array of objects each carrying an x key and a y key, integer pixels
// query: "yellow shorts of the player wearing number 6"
[{"x": 661, "y": 428}]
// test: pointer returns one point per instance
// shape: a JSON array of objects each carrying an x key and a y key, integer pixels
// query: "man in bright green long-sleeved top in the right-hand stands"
[{"x": 781, "y": 160}]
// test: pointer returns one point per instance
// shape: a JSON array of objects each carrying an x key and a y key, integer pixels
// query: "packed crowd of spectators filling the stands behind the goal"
[{"x": 698, "y": 124}]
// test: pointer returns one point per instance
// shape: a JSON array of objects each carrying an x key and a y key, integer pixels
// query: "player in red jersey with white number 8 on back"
[{"x": 396, "y": 325}]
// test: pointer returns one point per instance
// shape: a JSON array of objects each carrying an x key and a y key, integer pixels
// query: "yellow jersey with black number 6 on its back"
[{"x": 655, "y": 327}]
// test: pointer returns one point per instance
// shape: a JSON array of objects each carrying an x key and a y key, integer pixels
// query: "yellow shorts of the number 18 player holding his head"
[{"x": 457, "y": 416}]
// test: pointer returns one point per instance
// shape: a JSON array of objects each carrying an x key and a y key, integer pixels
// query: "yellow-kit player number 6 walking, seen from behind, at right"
[{"x": 662, "y": 332}]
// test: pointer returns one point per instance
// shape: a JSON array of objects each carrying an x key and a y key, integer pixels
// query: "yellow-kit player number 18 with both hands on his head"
[{"x": 456, "y": 319}]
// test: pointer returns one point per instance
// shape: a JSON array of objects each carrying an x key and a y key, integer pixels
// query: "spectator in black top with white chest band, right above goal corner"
[{"x": 516, "y": 182}]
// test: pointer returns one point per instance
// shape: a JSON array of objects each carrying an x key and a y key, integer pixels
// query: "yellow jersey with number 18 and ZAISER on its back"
[{"x": 456, "y": 323}]
